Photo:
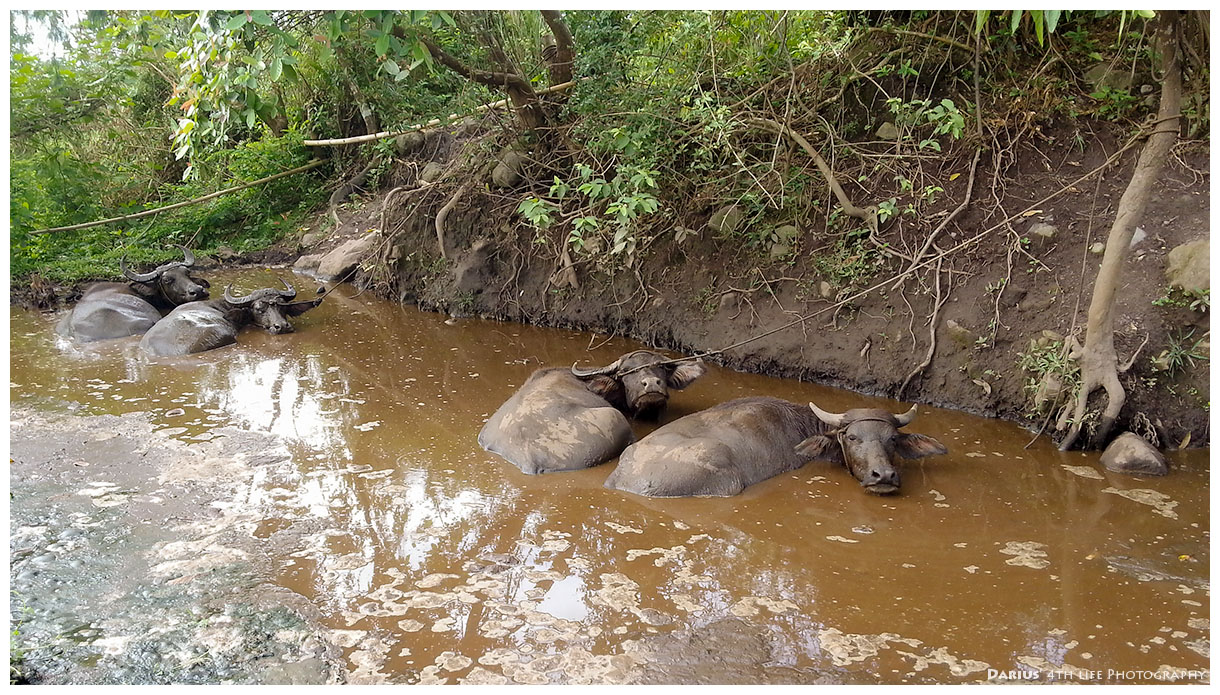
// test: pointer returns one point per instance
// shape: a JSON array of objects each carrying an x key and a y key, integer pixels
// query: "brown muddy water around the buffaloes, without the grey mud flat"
[{"x": 432, "y": 561}]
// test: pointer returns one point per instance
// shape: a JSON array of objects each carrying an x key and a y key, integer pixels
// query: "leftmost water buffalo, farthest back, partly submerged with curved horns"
[{"x": 117, "y": 310}]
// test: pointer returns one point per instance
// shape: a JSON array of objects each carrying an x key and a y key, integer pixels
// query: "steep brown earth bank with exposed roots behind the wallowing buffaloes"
[{"x": 709, "y": 292}]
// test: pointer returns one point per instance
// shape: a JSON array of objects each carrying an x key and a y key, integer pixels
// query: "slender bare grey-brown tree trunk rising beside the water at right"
[{"x": 1099, "y": 359}]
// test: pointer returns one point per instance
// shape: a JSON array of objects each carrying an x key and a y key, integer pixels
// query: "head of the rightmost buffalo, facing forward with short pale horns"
[{"x": 867, "y": 441}]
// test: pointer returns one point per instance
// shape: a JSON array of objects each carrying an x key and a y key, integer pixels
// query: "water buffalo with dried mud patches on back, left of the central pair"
[{"x": 565, "y": 420}]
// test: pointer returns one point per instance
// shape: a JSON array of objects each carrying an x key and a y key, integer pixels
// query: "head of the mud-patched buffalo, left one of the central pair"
[{"x": 639, "y": 383}]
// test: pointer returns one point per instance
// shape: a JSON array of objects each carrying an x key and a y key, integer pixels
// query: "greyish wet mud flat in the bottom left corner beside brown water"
[{"x": 131, "y": 564}]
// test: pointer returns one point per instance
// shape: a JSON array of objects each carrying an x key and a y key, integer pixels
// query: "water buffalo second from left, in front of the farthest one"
[{"x": 201, "y": 326}]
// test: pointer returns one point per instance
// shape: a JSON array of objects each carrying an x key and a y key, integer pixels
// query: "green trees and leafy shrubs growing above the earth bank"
[{"x": 140, "y": 110}]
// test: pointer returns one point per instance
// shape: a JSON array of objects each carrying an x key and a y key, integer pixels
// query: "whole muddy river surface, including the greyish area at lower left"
[{"x": 315, "y": 508}]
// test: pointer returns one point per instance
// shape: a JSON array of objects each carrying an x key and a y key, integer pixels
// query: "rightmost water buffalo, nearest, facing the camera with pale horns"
[{"x": 723, "y": 451}]
